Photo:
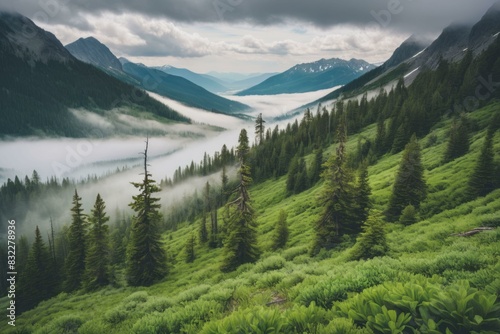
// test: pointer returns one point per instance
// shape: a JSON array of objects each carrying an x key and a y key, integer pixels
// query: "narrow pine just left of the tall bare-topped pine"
[{"x": 97, "y": 262}]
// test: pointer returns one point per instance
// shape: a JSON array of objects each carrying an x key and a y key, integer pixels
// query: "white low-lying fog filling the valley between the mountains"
[{"x": 78, "y": 158}]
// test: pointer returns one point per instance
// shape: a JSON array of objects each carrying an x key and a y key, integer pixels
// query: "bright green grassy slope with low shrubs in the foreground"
[{"x": 328, "y": 293}]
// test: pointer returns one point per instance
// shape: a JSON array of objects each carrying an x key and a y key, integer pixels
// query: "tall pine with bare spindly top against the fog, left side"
[{"x": 146, "y": 261}]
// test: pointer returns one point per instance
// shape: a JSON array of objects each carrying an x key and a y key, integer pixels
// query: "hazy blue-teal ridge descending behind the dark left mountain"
[{"x": 180, "y": 89}]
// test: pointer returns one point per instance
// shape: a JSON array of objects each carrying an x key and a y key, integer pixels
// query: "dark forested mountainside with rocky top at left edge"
[{"x": 41, "y": 81}]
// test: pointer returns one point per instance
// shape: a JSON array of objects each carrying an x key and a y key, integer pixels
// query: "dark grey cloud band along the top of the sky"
[{"x": 405, "y": 15}]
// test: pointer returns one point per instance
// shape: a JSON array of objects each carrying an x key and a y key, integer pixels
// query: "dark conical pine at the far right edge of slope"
[{"x": 483, "y": 178}]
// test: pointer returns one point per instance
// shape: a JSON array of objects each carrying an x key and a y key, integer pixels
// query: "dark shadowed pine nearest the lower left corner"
[{"x": 35, "y": 282}]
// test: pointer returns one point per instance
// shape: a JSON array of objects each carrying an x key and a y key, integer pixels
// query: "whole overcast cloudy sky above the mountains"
[{"x": 247, "y": 36}]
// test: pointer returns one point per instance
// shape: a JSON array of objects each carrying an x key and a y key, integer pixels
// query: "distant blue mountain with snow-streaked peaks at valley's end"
[{"x": 311, "y": 77}]
